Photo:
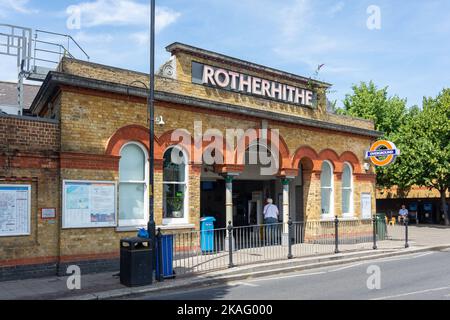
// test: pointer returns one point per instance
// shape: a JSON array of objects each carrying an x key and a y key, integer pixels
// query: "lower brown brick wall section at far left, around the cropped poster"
[{"x": 29, "y": 155}]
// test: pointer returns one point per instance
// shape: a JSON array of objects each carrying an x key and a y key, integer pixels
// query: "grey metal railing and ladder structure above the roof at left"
[{"x": 37, "y": 53}]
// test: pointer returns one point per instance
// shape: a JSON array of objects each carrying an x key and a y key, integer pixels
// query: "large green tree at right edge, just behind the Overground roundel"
[{"x": 424, "y": 141}]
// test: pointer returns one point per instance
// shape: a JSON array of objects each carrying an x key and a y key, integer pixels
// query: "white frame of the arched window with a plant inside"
[{"x": 185, "y": 219}]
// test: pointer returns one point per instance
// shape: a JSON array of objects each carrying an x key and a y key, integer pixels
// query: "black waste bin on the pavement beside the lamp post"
[{"x": 136, "y": 261}]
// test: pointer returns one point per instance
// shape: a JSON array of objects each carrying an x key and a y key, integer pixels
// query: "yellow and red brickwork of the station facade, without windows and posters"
[{"x": 93, "y": 124}]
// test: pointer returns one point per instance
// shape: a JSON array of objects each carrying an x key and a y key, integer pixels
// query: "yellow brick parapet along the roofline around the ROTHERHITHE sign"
[{"x": 183, "y": 84}]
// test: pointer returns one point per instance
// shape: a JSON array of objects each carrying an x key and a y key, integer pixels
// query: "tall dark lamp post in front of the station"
[{"x": 151, "y": 226}]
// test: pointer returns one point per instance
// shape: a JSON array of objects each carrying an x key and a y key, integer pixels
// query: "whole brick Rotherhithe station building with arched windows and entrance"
[{"x": 74, "y": 171}]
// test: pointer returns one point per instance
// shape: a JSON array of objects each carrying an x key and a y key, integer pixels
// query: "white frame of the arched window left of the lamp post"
[{"x": 137, "y": 222}]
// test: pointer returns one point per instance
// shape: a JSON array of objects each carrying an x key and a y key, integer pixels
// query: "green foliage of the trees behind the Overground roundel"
[{"x": 423, "y": 136}]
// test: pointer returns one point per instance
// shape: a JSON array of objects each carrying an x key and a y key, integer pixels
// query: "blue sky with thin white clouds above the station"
[{"x": 410, "y": 52}]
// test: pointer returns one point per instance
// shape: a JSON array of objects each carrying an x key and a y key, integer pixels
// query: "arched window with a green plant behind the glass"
[{"x": 175, "y": 186}]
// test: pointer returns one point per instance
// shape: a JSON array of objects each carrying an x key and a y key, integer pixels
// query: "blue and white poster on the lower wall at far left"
[{"x": 15, "y": 217}]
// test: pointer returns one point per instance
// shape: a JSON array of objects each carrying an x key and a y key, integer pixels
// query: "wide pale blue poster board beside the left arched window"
[{"x": 89, "y": 204}]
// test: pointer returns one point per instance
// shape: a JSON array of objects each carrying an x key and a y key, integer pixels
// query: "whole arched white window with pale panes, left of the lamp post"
[{"x": 133, "y": 185}]
